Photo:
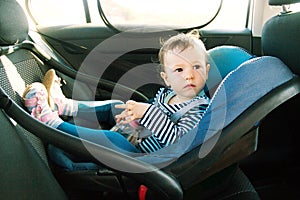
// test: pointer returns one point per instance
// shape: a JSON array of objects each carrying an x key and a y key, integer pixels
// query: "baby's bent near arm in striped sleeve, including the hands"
[{"x": 158, "y": 122}]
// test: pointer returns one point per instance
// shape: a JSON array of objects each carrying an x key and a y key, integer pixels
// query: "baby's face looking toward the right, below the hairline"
[{"x": 186, "y": 71}]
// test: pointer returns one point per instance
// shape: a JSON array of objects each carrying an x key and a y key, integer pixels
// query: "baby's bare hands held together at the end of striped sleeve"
[{"x": 133, "y": 110}]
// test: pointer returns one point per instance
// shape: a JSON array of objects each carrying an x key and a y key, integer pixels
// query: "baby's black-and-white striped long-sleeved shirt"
[{"x": 157, "y": 120}]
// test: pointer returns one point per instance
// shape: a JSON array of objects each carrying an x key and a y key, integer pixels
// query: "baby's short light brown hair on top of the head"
[{"x": 181, "y": 41}]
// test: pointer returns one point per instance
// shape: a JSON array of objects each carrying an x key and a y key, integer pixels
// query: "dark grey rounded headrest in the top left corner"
[{"x": 13, "y": 23}]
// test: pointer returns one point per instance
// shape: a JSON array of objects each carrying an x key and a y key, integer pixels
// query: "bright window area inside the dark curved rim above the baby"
[{"x": 167, "y": 14}]
